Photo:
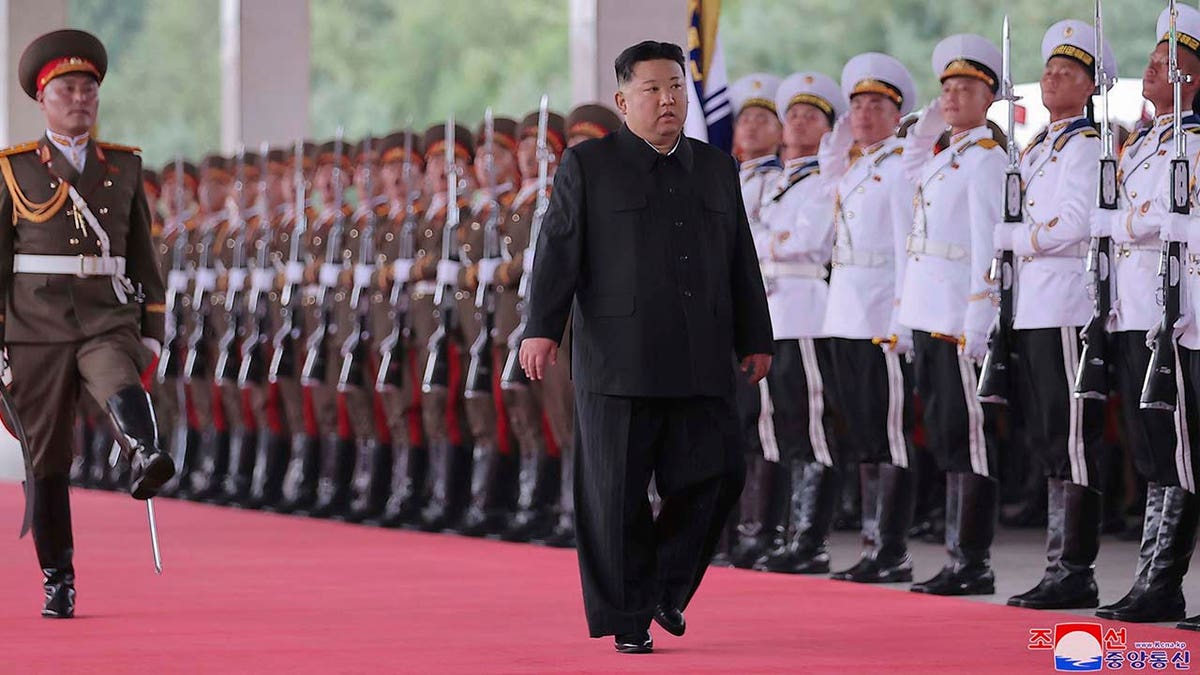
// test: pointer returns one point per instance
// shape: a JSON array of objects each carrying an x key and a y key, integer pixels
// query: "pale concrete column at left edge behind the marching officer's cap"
[{"x": 22, "y": 21}]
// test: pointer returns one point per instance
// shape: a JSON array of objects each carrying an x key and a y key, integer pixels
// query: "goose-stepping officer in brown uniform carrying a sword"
[{"x": 83, "y": 295}]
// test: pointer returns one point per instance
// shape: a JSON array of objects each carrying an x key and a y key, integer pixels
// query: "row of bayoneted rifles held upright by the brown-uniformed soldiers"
[{"x": 253, "y": 351}]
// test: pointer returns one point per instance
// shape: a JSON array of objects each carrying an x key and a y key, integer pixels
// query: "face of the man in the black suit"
[{"x": 655, "y": 101}]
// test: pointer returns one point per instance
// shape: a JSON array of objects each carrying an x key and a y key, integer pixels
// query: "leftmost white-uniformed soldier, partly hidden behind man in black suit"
[{"x": 757, "y": 138}]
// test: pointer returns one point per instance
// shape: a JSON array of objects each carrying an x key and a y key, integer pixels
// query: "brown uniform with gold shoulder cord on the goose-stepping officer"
[{"x": 65, "y": 333}]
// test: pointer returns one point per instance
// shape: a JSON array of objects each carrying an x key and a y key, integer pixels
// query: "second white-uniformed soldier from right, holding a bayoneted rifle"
[{"x": 1060, "y": 171}]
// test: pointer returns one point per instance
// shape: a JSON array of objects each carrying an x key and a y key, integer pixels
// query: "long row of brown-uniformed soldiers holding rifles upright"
[{"x": 293, "y": 378}]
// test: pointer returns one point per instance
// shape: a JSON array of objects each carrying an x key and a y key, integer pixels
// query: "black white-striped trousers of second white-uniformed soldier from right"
[{"x": 1065, "y": 432}]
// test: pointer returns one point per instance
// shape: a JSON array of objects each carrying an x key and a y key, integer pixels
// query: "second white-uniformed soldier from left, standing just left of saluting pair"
[{"x": 795, "y": 421}]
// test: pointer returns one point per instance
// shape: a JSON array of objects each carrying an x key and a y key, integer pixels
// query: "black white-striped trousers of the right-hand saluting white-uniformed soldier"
[{"x": 962, "y": 431}]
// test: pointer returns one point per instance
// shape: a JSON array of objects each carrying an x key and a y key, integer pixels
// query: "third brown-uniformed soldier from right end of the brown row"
[{"x": 494, "y": 494}]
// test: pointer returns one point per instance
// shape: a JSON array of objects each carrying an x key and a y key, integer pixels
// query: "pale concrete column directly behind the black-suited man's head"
[{"x": 601, "y": 29}]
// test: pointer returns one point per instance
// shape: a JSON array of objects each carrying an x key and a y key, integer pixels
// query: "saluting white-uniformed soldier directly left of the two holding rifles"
[{"x": 947, "y": 298}]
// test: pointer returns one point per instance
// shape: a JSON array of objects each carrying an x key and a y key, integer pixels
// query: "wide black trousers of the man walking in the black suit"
[{"x": 629, "y": 560}]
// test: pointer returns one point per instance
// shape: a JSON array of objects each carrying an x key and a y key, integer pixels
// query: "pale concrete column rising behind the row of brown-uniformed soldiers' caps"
[{"x": 265, "y": 73}]
